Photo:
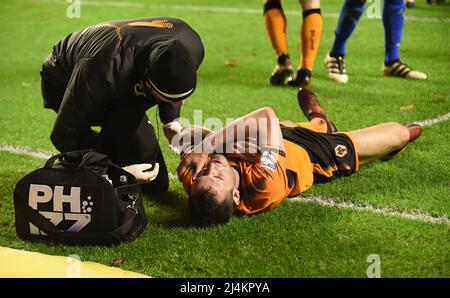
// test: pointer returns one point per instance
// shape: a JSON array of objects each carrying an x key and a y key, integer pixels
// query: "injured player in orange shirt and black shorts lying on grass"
[{"x": 256, "y": 162}]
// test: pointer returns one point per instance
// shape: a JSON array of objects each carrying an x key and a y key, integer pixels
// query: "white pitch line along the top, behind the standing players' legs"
[{"x": 216, "y": 9}]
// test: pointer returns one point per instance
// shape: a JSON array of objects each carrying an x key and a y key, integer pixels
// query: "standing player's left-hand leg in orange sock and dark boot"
[{"x": 275, "y": 24}]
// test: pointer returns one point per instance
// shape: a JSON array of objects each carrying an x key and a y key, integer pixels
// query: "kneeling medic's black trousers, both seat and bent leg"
[{"x": 126, "y": 135}]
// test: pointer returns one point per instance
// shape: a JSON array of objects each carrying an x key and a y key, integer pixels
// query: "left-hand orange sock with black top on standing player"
[{"x": 275, "y": 22}]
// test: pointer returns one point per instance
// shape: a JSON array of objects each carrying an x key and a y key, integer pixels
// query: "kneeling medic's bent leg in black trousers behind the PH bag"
[{"x": 128, "y": 138}]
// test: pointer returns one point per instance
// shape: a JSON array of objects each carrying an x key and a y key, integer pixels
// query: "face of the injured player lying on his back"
[{"x": 216, "y": 174}]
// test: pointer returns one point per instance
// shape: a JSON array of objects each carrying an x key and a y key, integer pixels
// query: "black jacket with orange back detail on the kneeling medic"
[{"x": 104, "y": 65}]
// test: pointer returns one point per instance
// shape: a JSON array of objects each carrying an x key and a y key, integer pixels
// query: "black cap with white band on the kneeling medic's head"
[{"x": 171, "y": 71}]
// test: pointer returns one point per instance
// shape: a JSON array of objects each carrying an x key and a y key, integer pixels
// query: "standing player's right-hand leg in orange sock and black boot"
[{"x": 311, "y": 31}]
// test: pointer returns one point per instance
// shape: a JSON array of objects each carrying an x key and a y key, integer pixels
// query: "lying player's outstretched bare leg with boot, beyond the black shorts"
[{"x": 382, "y": 140}]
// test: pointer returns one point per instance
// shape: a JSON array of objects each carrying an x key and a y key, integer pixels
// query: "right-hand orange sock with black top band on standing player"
[{"x": 311, "y": 32}]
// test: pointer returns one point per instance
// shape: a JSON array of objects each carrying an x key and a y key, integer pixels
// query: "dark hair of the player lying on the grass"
[{"x": 207, "y": 211}]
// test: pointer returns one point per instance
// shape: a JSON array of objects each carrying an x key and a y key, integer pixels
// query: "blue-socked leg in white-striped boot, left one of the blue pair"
[{"x": 348, "y": 19}]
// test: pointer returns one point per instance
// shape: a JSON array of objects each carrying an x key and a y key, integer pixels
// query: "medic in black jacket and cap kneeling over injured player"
[{"x": 109, "y": 75}]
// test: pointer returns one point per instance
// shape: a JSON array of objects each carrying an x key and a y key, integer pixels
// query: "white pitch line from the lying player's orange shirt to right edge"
[{"x": 337, "y": 203}]
